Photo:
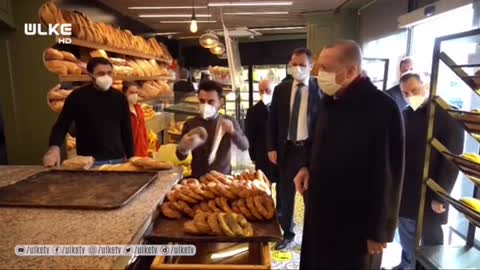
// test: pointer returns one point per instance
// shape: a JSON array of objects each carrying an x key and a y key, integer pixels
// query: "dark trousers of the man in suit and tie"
[{"x": 294, "y": 159}]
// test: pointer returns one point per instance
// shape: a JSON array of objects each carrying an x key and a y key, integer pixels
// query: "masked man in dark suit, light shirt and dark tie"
[{"x": 291, "y": 123}]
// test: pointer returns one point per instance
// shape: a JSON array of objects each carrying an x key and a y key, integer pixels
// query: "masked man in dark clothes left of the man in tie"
[{"x": 256, "y": 130}]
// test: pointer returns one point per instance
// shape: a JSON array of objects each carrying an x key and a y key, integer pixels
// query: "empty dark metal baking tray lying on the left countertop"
[{"x": 76, "y": 189}]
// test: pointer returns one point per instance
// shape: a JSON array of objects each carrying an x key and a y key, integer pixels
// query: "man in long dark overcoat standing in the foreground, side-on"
[{"x": 353, "y": 182}]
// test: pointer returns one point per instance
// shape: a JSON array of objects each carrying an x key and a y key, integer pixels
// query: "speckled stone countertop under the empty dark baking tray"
[{"x": 37, "y": 226}]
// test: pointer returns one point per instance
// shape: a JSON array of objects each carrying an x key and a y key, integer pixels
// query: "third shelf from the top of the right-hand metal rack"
[{"x": 467, "y": 167}]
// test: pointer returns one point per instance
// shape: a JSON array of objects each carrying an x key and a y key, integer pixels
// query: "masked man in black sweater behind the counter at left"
[{"x": 102, "y": 119}]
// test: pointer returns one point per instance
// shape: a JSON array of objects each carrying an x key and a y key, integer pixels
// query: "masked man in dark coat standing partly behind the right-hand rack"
[{"x": 450, "y": 134}]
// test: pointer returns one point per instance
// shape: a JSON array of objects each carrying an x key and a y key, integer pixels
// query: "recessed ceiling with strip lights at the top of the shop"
[{"x": 209, "y": 16}]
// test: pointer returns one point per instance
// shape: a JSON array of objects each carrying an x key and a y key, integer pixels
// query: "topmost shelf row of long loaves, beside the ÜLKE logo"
[{"x": 97, "y": 32}]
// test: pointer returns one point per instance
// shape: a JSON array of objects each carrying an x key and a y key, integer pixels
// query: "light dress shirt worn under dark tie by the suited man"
[{"x": 302, "y": 128}]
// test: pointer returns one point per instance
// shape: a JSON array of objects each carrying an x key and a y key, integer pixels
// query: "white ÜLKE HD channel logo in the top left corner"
[{"x": 64, "y": 30}]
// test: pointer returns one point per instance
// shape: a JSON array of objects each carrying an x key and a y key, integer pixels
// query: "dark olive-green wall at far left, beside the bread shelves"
[{"x": 28, "y": 119}]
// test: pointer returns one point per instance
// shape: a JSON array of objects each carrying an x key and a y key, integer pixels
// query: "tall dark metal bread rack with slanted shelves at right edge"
[{"x": 447, "y": 257}]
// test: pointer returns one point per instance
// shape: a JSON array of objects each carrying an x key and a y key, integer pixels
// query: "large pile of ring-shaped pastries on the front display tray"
[{"x": 220, "y": 201}]
